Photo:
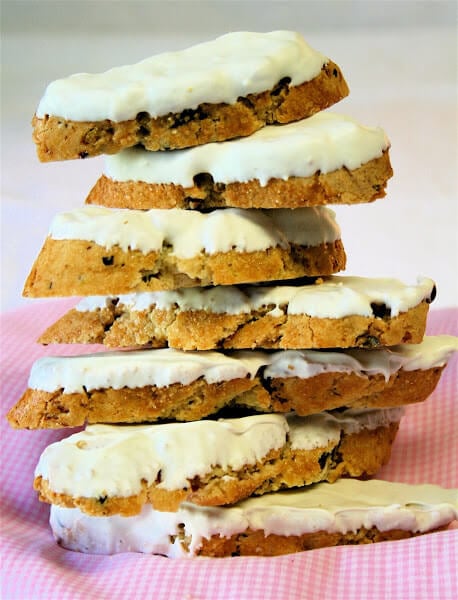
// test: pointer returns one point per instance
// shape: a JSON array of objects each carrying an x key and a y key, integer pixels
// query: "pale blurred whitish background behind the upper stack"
[{"x": 399, "y": 58}]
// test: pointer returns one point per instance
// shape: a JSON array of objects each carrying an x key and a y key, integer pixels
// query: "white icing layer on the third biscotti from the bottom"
[{"x": 163, "y": 367}]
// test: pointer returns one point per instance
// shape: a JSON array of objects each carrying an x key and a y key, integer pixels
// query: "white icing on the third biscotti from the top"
[{"x": 190, "y": 232}]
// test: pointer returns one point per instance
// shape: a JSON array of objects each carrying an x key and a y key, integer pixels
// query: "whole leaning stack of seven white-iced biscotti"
[{"x": 241, "y": 365}]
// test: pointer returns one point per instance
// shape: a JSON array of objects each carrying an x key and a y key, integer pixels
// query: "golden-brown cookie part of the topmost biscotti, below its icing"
[{"x": 58, "y": 138}]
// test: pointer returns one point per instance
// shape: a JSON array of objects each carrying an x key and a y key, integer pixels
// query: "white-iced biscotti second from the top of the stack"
[{"x": 326, "y": 159}]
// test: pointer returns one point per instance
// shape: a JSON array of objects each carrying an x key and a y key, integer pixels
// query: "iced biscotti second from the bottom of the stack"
[{"x": 109, "y": 469}]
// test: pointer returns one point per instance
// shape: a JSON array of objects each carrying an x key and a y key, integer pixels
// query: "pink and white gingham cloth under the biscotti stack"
[{"x": 34, "y": 567}]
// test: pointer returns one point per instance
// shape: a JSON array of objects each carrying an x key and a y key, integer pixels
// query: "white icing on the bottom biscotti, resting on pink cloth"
[{"x": 341, "y": 507}]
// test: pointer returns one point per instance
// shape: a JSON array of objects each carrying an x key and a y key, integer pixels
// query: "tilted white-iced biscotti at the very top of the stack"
[{"x": 207, "y": 93}]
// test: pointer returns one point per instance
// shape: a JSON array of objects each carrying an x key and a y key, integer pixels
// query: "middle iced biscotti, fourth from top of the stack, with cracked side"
[{"x": 337, "y": 312}]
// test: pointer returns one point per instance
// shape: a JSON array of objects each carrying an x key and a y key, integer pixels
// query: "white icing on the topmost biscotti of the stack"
[{"x": 222, "y": 70}]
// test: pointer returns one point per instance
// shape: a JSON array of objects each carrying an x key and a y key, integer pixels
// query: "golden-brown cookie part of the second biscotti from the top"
[{"x": 364, "y": 184}]
